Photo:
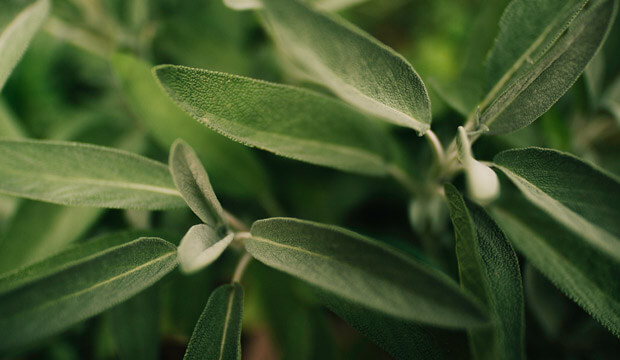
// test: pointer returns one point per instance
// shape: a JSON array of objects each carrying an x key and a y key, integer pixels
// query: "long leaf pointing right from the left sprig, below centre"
[{"x": 364, "y": 271}]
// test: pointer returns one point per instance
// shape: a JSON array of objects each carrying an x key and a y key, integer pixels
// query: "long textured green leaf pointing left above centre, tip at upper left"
[{"x": 288, "y": 121}]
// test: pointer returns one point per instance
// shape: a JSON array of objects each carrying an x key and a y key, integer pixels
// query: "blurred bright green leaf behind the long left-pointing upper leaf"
[{"x": 235, "y": 170}]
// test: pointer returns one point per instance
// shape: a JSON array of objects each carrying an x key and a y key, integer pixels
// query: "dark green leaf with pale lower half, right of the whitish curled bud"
[{"x": 578, "y": 195}]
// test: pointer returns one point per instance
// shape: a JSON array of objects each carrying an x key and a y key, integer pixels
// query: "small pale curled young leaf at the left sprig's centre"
[{"x": 201, "y": 246}]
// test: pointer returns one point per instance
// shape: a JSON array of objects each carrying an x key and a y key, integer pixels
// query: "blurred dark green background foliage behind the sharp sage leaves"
[{"x": 72, "y": 84}]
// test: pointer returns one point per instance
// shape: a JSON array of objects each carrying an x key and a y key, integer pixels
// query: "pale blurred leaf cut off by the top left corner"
[{"x": 15, "y": 36}]
